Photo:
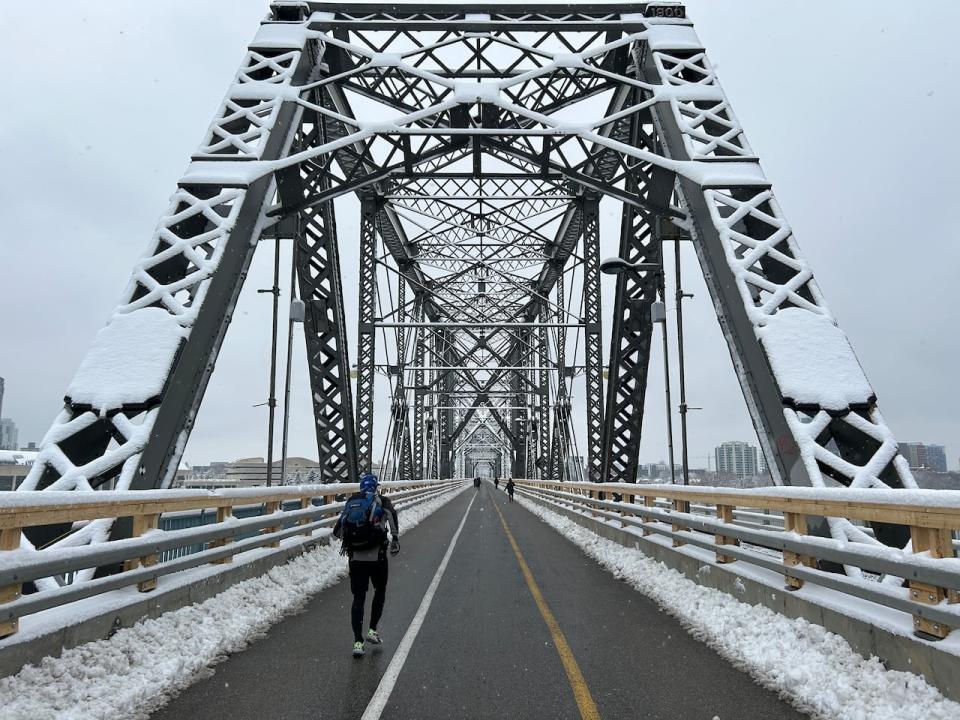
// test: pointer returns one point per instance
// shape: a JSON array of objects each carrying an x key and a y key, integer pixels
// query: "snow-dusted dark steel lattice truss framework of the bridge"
[{"x": 480, "y": 141}]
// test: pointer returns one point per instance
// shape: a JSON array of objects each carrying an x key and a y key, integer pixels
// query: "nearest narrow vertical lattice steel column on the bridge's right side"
[{"x": 592, "y": 331}]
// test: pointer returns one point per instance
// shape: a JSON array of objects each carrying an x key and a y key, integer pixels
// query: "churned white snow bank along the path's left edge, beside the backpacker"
[{"x": 138, "y": 669}]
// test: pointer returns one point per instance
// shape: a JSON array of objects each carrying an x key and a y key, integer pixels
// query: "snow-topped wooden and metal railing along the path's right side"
[{"x": 929, "y": 569}]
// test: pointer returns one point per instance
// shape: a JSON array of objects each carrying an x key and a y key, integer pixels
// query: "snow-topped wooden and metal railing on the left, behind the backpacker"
[{"x": 313, "y": 507}]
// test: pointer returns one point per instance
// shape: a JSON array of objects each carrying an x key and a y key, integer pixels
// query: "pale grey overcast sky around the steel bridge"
[{"x": 848, "y": 104}]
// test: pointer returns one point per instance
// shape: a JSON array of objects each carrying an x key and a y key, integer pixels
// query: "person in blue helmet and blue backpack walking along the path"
[{"x": 362, "y": 526}]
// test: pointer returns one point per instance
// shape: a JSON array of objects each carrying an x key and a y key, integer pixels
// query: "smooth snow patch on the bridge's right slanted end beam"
[{"x": 813, "y": 361}]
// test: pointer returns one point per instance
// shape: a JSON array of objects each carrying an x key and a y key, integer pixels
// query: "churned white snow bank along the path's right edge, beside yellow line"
[{"x": 815, "y": 670}]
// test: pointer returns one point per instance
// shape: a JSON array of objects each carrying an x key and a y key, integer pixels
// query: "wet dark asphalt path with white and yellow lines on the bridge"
[{"x": 484, "y": 649}]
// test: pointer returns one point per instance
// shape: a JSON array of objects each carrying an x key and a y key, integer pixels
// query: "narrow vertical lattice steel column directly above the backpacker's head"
[{"x": 365, "y": 332}]
